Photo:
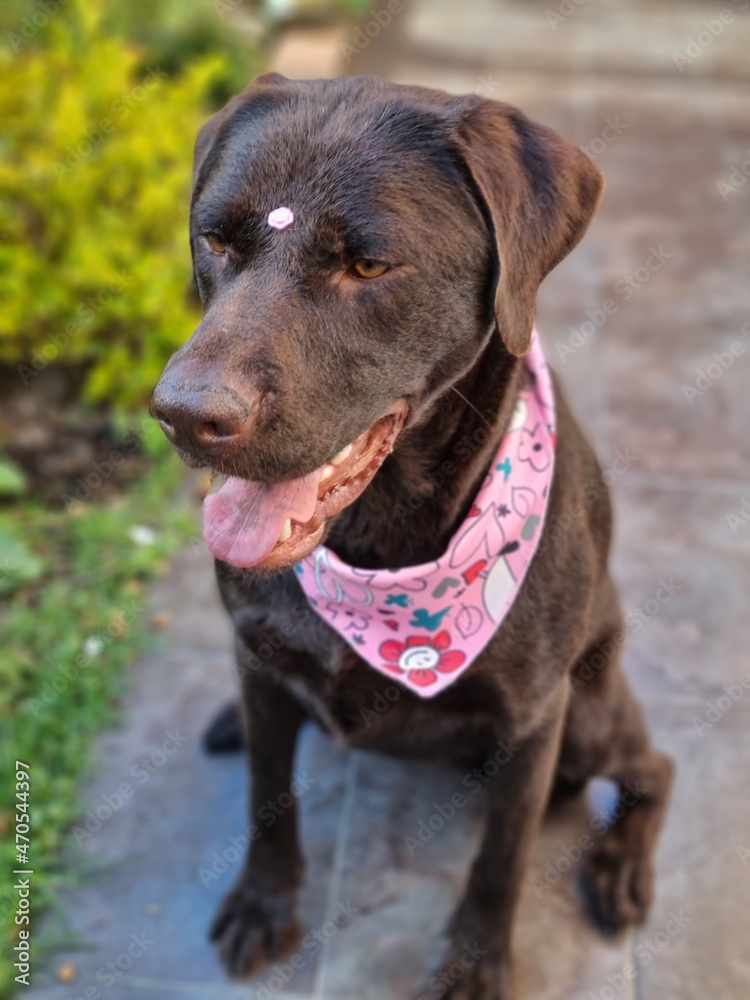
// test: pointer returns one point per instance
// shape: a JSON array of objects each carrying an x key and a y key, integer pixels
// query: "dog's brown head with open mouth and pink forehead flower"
[{"x": 419, "y": 224}]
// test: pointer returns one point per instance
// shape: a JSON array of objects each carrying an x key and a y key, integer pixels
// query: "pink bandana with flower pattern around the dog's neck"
[{"x": 425, "y": 625}]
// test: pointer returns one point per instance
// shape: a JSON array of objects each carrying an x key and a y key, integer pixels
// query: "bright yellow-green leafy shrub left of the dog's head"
[{"x": 95, "y": 160}]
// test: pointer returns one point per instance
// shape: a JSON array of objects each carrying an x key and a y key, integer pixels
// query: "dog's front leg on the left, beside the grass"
[{"x": 256, "y": 922}]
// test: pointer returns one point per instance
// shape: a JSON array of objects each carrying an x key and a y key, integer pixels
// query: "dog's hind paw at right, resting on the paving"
[{"x": 617, "y": 885}]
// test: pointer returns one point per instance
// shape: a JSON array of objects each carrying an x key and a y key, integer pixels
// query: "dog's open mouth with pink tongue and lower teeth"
[{"x": 250, "y": 524}]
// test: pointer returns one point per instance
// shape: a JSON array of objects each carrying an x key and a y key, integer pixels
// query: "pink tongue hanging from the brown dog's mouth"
[{"x": 242, "y": 522}]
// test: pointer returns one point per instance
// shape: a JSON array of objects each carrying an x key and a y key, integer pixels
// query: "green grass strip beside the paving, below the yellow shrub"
[{"x": 73, "y": 584}]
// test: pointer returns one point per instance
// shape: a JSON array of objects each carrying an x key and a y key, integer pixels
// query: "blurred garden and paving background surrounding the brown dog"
[{"x": 114, "y": 652}]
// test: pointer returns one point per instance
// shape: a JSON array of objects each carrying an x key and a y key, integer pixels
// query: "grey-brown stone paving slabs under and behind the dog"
[{"x": 661, "y": 100}]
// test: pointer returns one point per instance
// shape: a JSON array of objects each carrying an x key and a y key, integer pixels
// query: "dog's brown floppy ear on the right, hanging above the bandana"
[{"x": 540, "y": 192}]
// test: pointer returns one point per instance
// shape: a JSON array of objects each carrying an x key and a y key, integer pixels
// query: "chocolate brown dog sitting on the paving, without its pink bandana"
[{"x": 395, "y": 314}]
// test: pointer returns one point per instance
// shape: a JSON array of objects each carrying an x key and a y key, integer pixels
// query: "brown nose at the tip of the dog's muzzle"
[{"x": 202, "y": 421}]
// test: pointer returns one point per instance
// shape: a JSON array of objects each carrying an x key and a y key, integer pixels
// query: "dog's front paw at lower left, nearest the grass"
[{"x": 253, "y": 927}]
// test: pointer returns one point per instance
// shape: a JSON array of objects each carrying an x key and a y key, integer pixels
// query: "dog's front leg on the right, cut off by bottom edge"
[{"x": 477, "y": 964}]
